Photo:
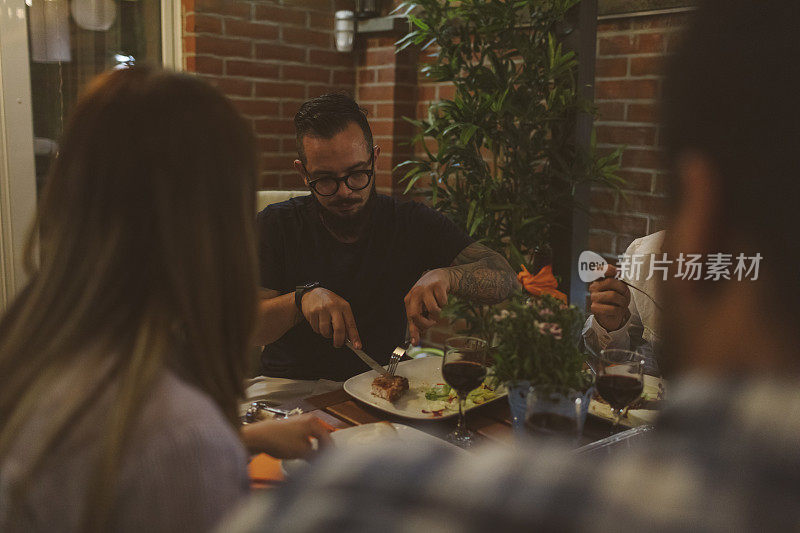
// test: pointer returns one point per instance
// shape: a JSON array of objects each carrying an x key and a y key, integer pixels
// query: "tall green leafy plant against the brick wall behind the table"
[{"x": 506, "y": 162}]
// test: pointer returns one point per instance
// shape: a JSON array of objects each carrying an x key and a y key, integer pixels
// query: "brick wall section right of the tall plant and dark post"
[{"x": 629, "y": 74}]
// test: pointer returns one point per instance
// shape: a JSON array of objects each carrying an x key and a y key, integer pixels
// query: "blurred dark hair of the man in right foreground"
[{"x": 731, "y": 95}]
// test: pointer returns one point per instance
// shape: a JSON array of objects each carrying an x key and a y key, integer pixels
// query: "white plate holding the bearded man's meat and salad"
[{"x": 421, "y": 373}]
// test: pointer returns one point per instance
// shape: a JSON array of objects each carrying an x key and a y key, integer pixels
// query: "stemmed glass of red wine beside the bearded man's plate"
[{"x": 464, "y": 369}]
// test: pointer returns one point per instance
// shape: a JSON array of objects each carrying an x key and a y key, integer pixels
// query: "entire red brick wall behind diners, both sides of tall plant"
[{"x": 270, "y": 55}]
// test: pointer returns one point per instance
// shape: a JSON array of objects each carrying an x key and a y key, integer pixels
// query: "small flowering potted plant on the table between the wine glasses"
[{"x": 537, "y": 355}]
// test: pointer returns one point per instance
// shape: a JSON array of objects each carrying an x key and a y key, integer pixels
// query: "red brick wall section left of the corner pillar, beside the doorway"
[{"x": 268, "y": 56}]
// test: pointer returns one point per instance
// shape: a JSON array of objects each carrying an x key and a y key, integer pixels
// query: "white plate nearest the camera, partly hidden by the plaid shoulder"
[{"x": 372, "y": 435}]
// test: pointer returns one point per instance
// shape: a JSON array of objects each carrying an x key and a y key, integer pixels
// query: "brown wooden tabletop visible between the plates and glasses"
[{"x": 492, "y": 422}]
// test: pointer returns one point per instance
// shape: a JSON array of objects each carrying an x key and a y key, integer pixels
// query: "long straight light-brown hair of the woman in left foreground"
[{"x": 146, "y": 236}]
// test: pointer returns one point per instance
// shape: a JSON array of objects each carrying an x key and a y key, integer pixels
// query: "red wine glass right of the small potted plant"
[{"x": 620, "y": 379}]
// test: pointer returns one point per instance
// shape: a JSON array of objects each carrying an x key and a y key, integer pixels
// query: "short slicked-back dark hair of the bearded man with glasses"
[{"x": 327, "y": 115}]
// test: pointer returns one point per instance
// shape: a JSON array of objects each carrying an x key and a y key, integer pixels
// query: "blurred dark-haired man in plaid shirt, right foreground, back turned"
[{"x": 725, "y": 455}]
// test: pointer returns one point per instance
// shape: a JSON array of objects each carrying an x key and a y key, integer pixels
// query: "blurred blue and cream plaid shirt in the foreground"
[{"x": 725, "y": 457}]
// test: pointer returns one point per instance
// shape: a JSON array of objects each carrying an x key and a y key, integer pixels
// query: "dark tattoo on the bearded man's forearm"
[{"x": 481, "y": 274}]
